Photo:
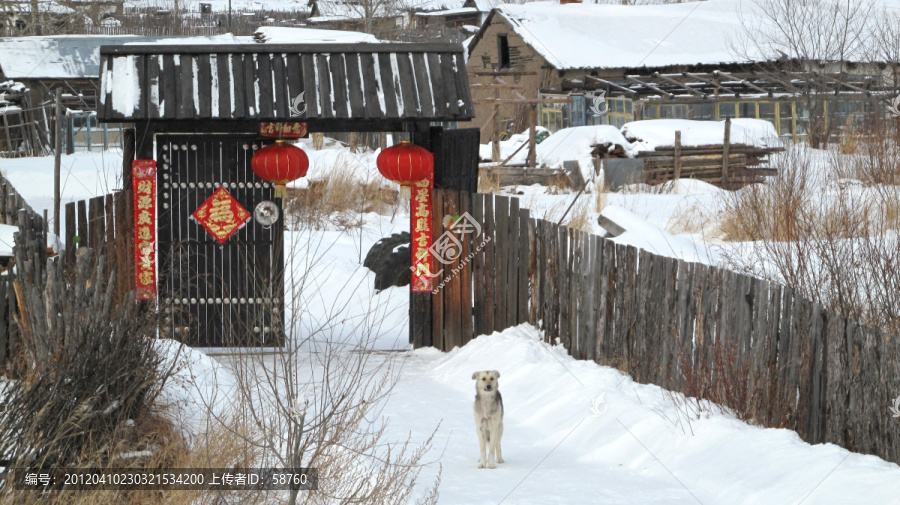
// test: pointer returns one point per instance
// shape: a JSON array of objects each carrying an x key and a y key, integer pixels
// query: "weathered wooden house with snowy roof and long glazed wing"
[{"x": 586, "y": 64}]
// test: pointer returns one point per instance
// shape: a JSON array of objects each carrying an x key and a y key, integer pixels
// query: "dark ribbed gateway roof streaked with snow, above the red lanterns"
[{"x": 334, "y": 81}]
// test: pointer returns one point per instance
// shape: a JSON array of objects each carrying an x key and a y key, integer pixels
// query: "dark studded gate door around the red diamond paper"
[{"x": 217, "y": 295}]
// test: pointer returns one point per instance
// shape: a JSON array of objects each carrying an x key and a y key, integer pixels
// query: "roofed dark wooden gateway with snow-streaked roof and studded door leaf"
[{"x": 201, "y": 107}]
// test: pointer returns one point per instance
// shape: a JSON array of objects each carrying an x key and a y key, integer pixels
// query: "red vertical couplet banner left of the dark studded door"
[{"x": 143, "y": 184}]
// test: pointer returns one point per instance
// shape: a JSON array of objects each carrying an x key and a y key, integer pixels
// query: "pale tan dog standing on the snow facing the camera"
[{"x": 488, "y": 417}]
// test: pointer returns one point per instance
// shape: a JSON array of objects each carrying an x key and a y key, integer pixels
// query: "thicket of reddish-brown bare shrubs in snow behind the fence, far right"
[{"x": 832, "y": 240}]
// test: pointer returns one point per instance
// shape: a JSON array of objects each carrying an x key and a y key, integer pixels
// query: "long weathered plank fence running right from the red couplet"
[{"x": 688, "y": 327}]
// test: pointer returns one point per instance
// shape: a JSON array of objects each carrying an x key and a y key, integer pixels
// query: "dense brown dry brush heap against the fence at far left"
[{"x": 87, "y": 379}]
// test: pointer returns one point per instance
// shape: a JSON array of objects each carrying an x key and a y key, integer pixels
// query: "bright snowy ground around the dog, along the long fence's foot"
[{"x": 563, "y": 446}]
